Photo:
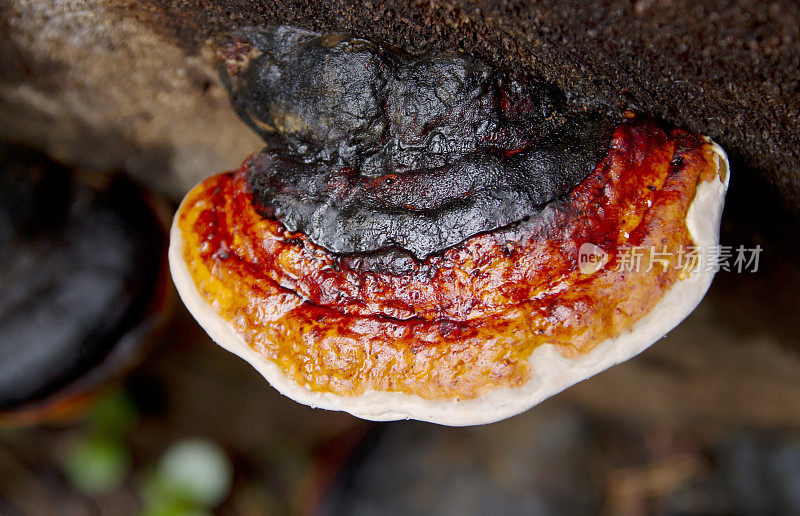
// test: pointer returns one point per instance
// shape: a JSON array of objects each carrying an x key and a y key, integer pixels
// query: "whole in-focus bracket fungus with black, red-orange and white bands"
[{"x": 408, "y": 243}]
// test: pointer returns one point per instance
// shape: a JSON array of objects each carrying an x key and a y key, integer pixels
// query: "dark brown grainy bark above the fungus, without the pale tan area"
[{"x": 730, "y": 70}]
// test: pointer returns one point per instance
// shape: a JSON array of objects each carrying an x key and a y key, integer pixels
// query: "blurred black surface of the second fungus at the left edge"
[{"x": 78, "y": 267}]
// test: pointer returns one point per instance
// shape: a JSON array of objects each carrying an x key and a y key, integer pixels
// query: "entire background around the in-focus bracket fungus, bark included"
[{"x": 114, "y": 401}]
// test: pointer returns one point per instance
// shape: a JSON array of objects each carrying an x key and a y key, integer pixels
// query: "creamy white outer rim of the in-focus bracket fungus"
[{"x": 551, "y": 370}]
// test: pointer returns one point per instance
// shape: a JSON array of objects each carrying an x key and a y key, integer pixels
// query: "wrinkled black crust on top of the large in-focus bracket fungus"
[{"x": 371, "y": 149}]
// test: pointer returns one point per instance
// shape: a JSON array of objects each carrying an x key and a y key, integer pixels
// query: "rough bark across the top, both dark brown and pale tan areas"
[{"x": 137, "y": 78}]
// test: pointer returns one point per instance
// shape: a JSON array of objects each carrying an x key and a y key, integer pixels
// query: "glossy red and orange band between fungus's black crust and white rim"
[{"x": 463, "y": 320}]
